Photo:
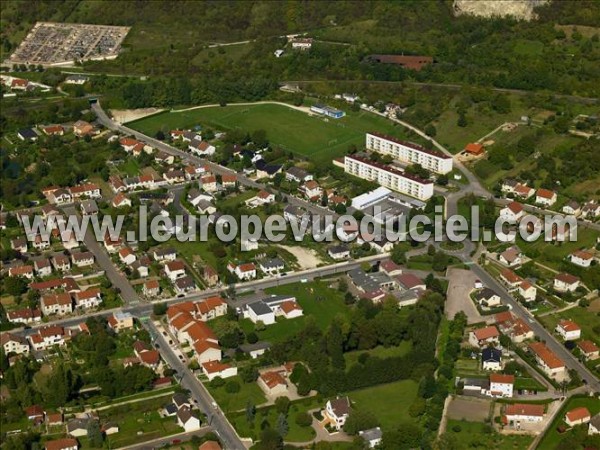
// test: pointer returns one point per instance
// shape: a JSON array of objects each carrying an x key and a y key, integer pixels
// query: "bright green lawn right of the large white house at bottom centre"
[{"x": 388, "y": 402}]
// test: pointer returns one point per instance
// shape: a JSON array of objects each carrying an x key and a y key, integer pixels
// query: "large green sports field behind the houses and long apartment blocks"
[{"x": 314, "y": 137}]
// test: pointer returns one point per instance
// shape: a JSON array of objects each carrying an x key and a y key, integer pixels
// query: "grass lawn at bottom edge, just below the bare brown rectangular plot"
[{"x": 476, "y": 435}]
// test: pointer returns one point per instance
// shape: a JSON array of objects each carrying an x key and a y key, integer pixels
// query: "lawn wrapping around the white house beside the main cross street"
[{"x": 317, "y": 300}]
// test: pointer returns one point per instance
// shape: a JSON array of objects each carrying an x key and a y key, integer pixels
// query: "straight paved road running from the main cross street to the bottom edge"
[{"x": 199, "y": 393}]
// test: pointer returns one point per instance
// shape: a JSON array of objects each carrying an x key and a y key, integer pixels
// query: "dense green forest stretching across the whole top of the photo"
[{"x": 171, "y": 38}]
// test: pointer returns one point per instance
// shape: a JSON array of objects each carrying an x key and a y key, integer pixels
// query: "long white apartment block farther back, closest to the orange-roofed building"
[{"x": 409, "y": 153}]
